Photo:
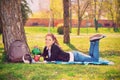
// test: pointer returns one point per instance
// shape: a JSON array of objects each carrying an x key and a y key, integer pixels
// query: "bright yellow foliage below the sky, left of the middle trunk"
[{"x": 56, "y": 9}]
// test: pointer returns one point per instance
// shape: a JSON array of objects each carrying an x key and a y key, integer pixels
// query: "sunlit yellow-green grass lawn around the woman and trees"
[{"x": 109, "y": 49}]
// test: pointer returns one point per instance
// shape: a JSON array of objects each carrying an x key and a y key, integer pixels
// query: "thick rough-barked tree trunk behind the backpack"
[{"x": 11, "y": 17}]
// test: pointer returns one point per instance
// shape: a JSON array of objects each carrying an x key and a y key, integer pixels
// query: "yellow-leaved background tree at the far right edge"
[{"x": 111, "y": 9}]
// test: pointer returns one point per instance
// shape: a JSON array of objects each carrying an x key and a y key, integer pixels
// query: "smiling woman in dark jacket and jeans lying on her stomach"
[{"x": 52, "y": 51}]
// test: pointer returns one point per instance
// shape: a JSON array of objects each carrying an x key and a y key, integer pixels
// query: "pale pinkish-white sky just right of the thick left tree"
[{"x": 38, "y": 5}]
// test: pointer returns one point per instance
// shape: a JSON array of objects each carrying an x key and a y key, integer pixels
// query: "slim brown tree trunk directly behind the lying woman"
[{"x": 66, "y": 21}]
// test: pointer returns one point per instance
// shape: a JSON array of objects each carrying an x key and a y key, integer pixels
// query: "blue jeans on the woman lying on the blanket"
[{"x": 93, "y": 53}]
